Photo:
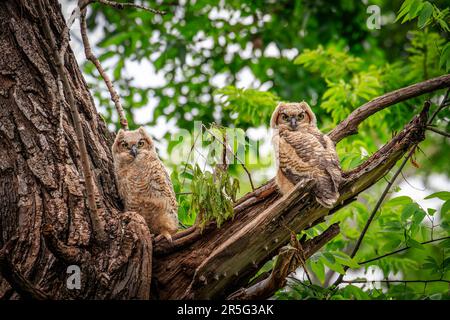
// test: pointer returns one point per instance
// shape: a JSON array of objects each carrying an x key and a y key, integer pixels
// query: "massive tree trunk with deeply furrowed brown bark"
[{"x": 41, "y": 181}]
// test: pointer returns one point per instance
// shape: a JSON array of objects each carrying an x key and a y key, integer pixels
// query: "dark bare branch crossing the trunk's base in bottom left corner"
[{"x": 18, "y": 282}]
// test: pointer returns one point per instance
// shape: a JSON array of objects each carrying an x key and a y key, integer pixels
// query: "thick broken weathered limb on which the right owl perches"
[{"x": 228, "y": 257}]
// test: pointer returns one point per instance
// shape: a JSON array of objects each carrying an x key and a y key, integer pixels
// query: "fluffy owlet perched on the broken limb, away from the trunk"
[{"x": 303, "y": 152}]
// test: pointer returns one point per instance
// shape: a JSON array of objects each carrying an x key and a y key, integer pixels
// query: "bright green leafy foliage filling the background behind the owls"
[{"x": 293, "y": 51}]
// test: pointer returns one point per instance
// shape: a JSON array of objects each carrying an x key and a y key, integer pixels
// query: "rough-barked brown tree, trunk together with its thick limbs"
[{"x": 44, "y": 218}]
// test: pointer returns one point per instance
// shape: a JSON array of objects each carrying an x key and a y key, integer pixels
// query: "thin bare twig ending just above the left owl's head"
[{"x": 91, "y": 57}]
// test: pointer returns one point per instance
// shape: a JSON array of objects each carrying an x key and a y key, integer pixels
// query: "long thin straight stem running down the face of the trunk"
[{"x": 98, "y": 230}]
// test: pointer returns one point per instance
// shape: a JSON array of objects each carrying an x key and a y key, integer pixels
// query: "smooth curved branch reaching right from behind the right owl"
[{"x": 350, "y": 125}]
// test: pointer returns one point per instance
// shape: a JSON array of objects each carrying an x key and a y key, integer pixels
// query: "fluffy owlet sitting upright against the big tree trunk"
[{"x": 143, "y": 182}]
